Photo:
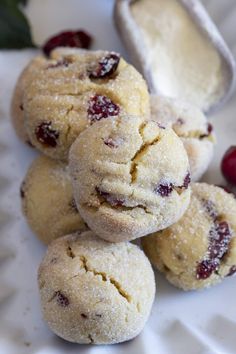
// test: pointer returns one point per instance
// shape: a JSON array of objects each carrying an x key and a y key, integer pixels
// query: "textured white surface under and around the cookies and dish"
[{"x": 181, "y": 323}]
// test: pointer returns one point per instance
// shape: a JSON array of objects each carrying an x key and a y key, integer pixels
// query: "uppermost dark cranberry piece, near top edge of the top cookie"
[{"x": 106, "y": 66}]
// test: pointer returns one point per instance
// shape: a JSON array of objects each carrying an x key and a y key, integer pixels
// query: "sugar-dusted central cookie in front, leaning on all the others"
[{"x": 130, "y": 177}]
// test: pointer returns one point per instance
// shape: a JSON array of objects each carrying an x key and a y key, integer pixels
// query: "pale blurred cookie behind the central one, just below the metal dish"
[{"x": 191, "y": 125}]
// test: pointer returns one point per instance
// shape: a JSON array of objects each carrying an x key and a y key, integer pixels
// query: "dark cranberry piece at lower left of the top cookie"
[{"x": 46, "y": 135}]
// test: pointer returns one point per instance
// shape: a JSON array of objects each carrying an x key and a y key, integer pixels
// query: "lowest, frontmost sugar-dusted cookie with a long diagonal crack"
[{"x": 93, "y": 291}]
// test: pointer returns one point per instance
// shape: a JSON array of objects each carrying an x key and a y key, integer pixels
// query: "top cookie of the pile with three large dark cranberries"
[{"x": 74, "y": 89}]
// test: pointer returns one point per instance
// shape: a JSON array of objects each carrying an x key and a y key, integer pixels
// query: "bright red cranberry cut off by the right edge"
[{"x": 228, "y": 165}]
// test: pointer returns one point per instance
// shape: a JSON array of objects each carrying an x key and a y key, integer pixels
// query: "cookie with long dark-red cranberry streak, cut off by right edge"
[{"x": 200, "y": 249}]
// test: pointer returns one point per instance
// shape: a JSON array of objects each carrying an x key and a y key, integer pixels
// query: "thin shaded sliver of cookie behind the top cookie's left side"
[{"x": 17, "y": 108}]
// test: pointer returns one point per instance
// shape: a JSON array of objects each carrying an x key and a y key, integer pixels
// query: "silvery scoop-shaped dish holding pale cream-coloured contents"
[{"x": 178, "y": 49}]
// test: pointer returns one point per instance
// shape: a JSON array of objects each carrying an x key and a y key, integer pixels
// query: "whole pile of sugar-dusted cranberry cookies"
[{"x": 116, "y": 166}]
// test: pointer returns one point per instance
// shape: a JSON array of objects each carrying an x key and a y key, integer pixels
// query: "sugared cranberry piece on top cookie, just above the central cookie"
[{"x": 101, "y": 107}]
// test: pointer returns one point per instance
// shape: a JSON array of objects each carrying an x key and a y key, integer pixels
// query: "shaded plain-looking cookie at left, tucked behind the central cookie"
[{"x": 47, "y": 200}]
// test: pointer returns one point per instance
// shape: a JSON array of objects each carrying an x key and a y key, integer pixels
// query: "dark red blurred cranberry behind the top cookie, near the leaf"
[{"x": 77, "y": 39}]
